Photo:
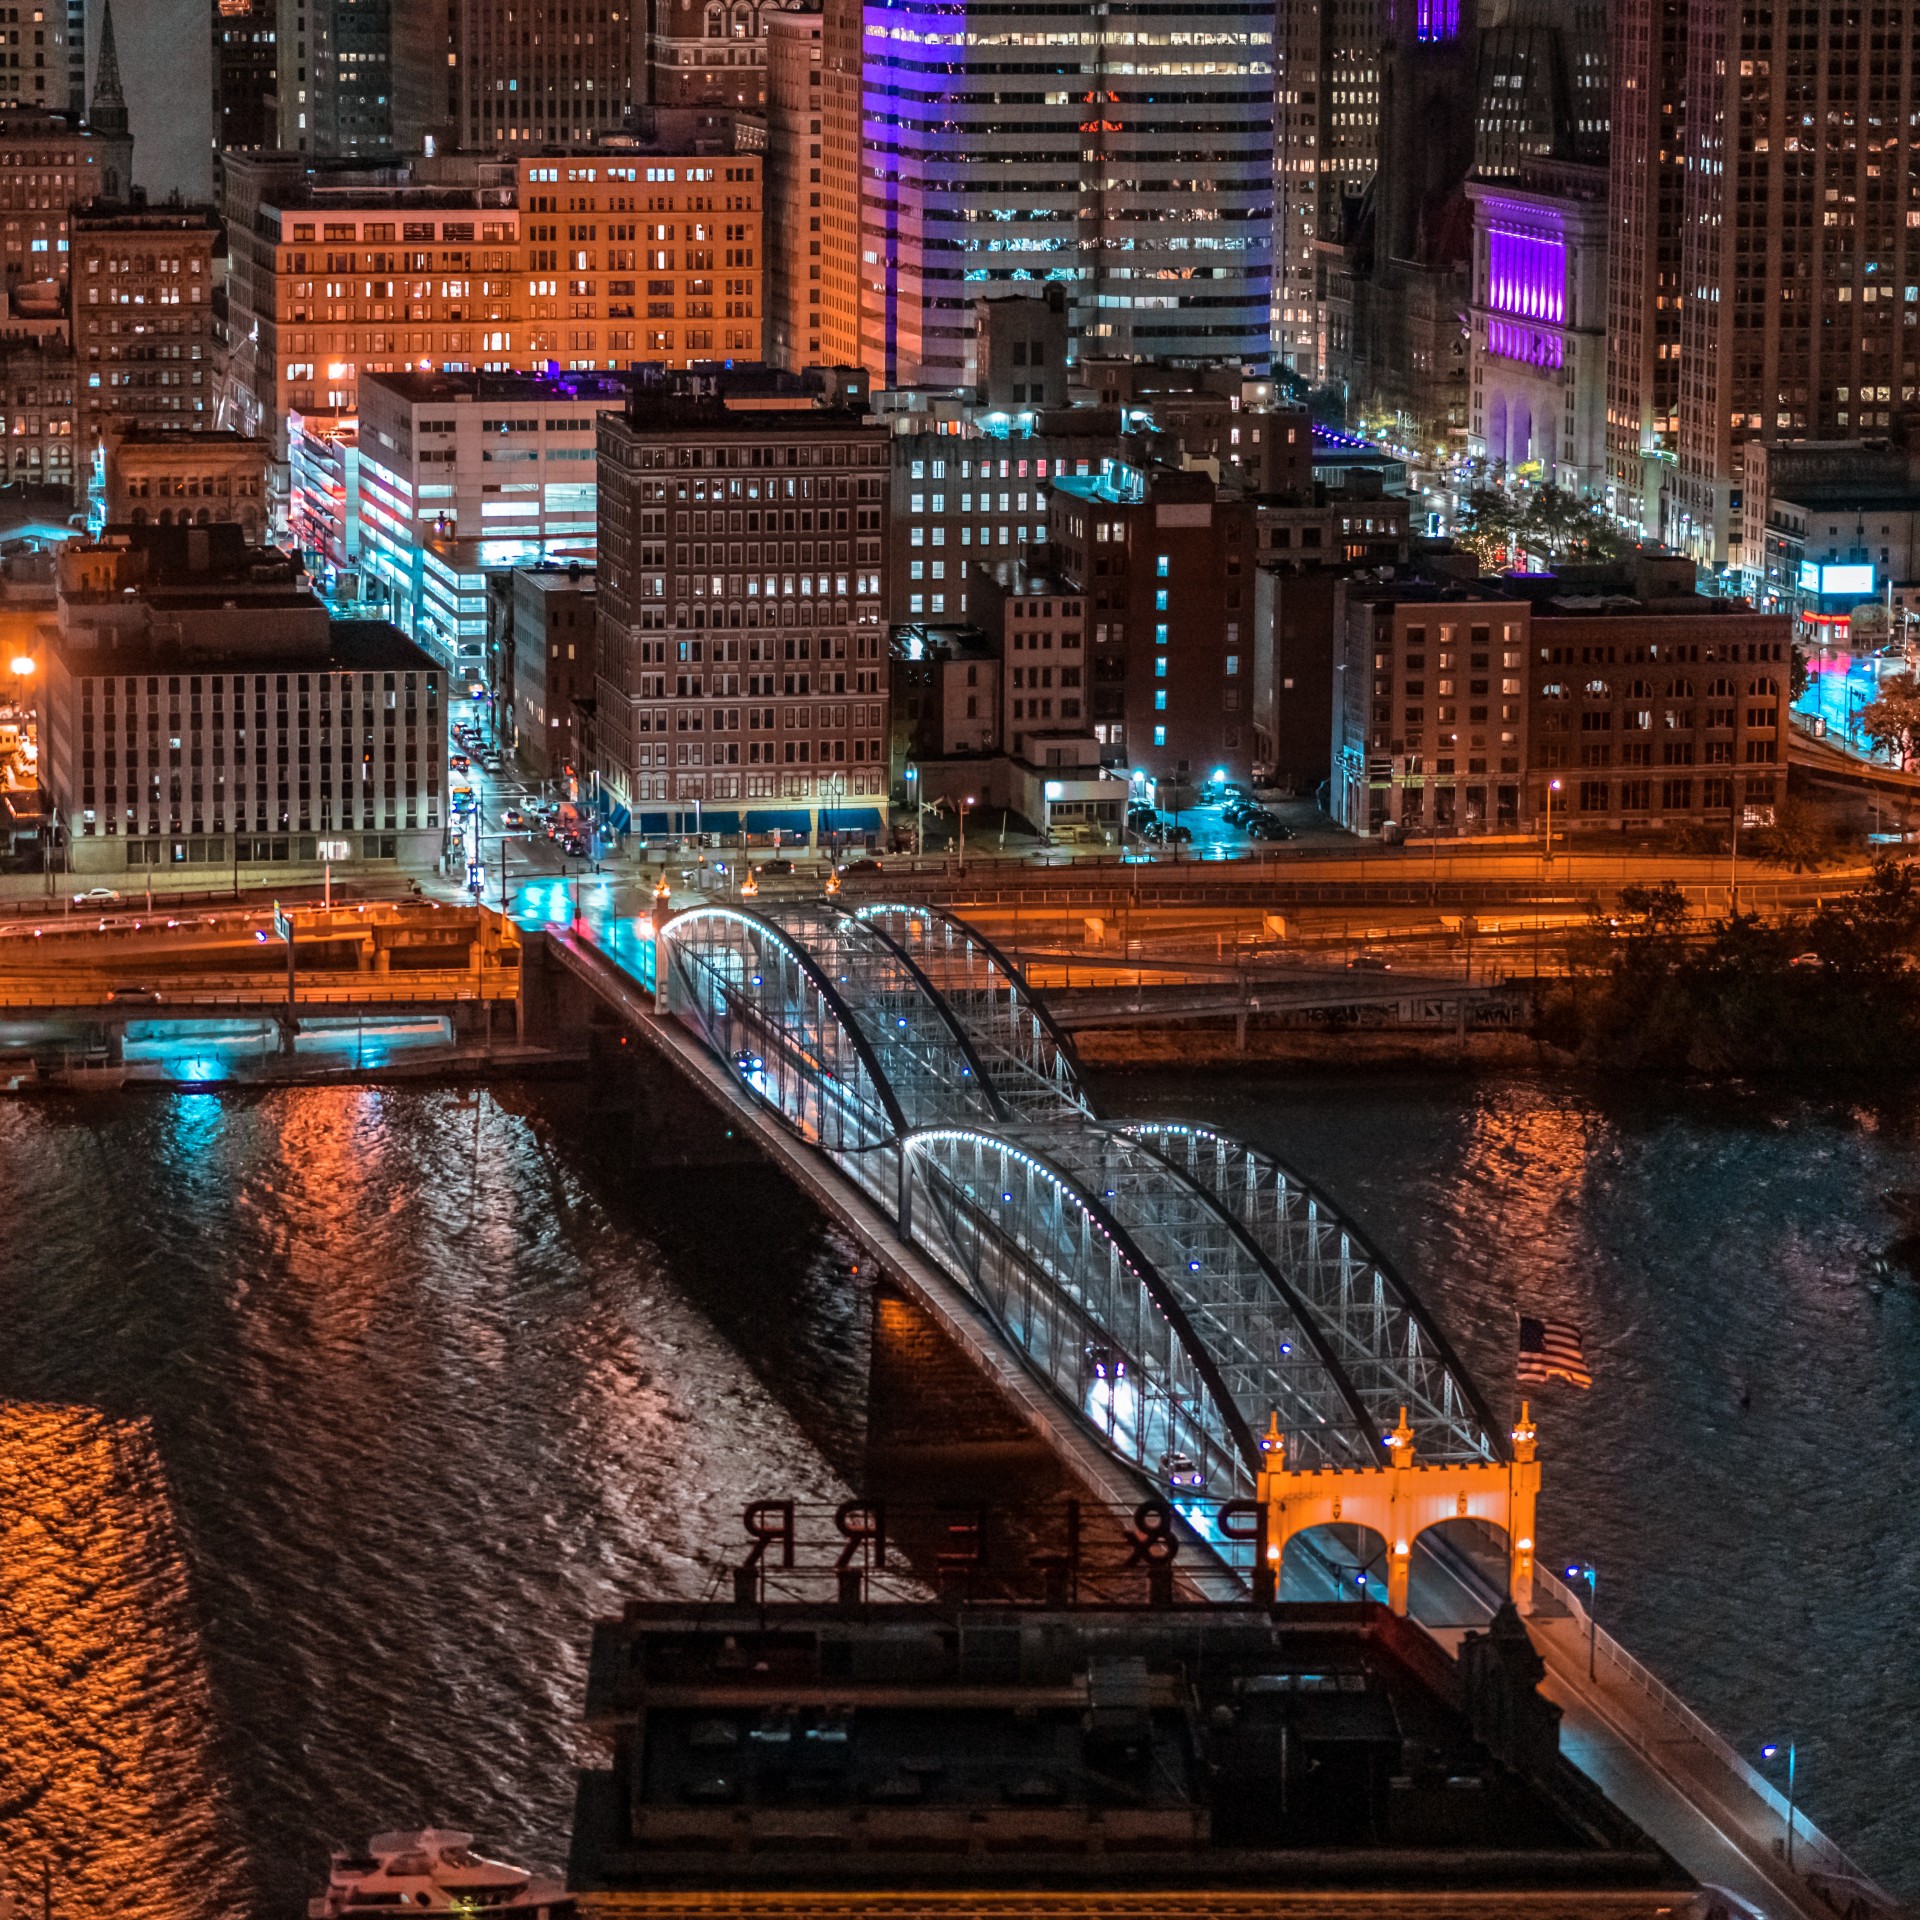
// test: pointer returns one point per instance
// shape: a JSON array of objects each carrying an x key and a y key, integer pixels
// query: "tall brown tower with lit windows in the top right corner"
[{"x": 1800, "y": 256}]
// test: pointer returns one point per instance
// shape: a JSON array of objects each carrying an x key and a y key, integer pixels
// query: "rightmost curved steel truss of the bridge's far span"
[{"x": 1030, "y": 1059}]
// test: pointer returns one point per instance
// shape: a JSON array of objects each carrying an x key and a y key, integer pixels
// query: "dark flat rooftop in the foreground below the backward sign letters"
[{"x": 1084, "y": 1750}]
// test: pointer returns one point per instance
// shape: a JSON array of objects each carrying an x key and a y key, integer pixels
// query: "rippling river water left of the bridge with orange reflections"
[{"x": 429, "y": 1399}]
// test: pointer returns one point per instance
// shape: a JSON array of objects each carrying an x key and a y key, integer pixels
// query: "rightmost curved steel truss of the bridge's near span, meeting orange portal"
[{"x": 1380, "y": 1335}]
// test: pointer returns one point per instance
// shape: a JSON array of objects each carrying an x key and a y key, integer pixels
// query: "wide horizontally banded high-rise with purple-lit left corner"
[{"x": 1126, "y": 155}]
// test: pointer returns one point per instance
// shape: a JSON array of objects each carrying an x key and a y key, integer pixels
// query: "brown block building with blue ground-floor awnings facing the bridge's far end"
[{"x": 702, "y": 479}]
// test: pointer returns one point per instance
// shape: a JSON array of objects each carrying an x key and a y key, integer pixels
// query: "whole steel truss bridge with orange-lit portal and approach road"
[{"x": 1155, "y": 1297}]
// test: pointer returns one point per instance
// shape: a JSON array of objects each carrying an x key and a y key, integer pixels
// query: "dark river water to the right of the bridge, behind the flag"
[{"x": 1756, "y": 1385}]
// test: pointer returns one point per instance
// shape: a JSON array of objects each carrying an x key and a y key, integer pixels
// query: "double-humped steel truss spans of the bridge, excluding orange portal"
[{"x": 1174, "y": 1287}]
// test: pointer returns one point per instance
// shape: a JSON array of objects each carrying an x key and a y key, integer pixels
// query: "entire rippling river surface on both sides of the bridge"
[{"x": 331, "y": 1420}]
